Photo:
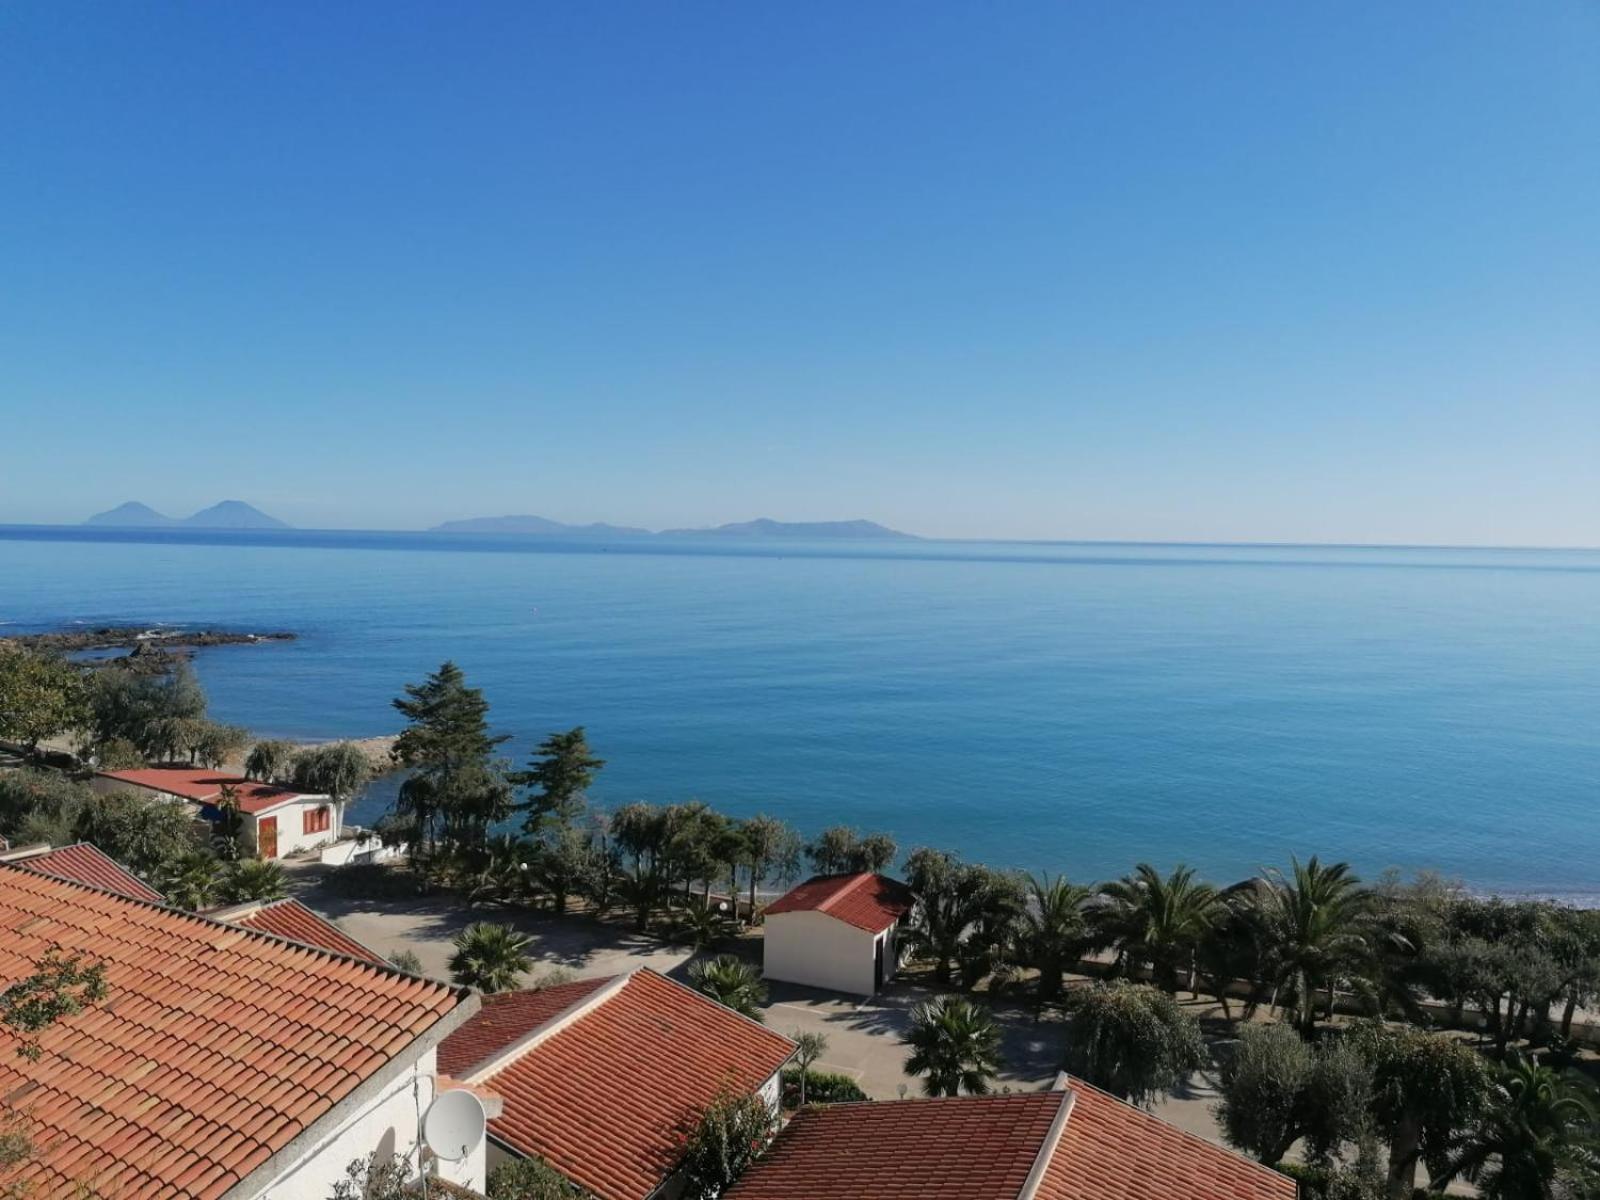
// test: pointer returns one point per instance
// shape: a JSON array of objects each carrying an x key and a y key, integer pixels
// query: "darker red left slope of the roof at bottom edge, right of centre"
[{"x": 974, "y": 1148}]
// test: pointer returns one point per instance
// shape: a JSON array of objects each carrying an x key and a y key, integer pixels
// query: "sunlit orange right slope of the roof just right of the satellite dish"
[{"x": 606, "y": 1098}]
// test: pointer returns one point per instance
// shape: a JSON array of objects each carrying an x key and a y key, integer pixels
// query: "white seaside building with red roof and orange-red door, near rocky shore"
[{"x": 278, "y": 820}]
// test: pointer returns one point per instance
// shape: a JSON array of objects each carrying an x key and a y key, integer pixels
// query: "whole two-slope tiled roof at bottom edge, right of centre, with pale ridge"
[{"x": 986, "y": 1148}]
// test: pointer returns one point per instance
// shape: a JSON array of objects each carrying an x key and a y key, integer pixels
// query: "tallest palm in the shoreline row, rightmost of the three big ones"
[{"x": 1316, "y": 926}]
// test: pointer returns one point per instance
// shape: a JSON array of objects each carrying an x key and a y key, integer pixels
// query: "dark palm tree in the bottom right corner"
[{"x": 1538, "y": 1134}]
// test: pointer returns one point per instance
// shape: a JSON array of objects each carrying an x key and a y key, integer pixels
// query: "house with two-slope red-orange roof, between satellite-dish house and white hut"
[{"x": 602, "y": 1078}]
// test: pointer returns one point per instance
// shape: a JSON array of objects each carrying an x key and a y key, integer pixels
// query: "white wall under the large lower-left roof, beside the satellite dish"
[{"x": 388, "y": 1124}]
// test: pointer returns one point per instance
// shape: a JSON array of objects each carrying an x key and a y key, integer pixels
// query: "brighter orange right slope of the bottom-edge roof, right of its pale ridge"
[{"x": 1111, "y": 1151}]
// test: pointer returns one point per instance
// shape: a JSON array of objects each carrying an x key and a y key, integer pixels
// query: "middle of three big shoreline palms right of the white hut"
[{"x": 1159, "y": 921}]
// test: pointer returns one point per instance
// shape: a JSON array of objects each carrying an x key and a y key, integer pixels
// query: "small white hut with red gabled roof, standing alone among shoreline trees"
[{"x": 838, "y": 932}]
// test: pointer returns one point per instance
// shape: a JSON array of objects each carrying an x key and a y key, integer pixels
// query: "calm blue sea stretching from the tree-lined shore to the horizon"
[{"x": 1052, "y": 706}]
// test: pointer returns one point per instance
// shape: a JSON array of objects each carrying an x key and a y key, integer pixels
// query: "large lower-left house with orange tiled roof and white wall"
[{"x": 244, "y": 1066}]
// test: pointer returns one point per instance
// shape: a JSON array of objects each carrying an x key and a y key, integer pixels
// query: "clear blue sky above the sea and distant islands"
[{"x": 1193, "y": 271}]
